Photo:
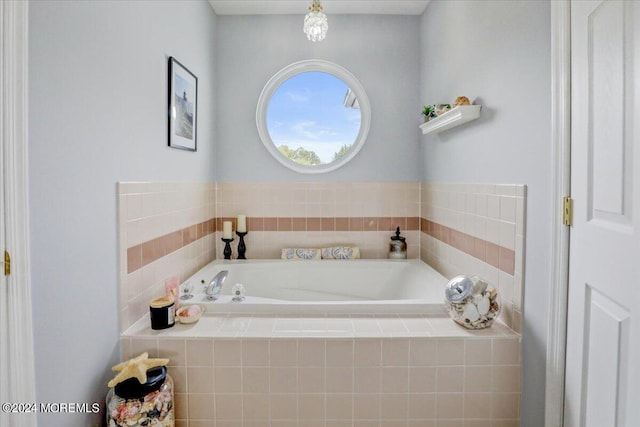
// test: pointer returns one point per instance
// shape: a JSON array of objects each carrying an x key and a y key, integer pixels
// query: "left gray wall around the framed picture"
[{"x": 98, "y": 76}]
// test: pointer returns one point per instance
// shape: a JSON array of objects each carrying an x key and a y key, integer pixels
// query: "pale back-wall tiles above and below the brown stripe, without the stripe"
[{"x": 300, "y": 200}]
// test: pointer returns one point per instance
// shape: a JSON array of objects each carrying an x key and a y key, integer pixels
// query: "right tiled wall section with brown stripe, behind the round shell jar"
[{"x": 477, "y": 229}]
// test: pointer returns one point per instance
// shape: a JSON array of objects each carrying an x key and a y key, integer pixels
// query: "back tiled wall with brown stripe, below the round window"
[{"x": 321, "y": 214}]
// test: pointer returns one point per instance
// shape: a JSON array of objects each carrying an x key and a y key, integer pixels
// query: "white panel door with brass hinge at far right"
[{"x": 602, "y": 382}]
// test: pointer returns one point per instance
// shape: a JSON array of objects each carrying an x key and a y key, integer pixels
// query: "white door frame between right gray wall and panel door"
[{"x": 561, "y": 187}]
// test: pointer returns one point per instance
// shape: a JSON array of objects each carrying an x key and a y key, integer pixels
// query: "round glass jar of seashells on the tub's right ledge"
[{"x": 471, "y": 302}]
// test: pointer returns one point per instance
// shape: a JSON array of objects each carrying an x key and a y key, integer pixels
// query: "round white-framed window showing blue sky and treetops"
[{"x": 313, "y": 116}]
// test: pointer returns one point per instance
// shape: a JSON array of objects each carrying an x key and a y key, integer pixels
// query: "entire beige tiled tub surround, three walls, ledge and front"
[{"x": 344, "y": 370}]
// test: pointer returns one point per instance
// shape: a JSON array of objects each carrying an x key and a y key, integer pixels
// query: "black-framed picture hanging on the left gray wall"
[{"x": 183, "y": 107}]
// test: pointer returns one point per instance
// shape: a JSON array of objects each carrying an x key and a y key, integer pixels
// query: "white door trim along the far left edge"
[{"x": 14, "y": 78}]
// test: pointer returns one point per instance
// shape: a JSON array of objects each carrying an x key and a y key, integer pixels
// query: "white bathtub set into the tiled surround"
[{"x": 324, "y": 287}]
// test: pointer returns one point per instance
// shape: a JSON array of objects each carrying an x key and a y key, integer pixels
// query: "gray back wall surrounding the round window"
[{"x": 381, "y": 51}]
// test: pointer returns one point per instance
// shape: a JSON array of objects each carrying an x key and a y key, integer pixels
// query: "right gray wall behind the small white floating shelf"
[{"x": 498, "y": 53}]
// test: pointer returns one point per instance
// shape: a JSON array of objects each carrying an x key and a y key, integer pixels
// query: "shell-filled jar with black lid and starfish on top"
[{"x": 141, "y": 394}]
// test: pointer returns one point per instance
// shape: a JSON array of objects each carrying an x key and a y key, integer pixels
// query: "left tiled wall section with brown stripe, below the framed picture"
[{"x": 165, "y": 230}]
